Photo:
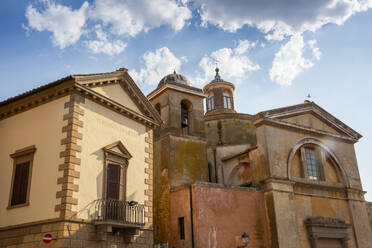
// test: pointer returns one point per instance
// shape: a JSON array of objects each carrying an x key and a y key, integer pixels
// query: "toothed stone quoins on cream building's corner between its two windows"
[{"x": 70, "y": 154}]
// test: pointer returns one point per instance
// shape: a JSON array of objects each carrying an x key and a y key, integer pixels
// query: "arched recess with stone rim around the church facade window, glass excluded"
[{"x": 332, "y": 169}]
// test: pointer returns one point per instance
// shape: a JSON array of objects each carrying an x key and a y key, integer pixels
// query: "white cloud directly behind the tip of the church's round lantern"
[{"x": 233, "y": 63}]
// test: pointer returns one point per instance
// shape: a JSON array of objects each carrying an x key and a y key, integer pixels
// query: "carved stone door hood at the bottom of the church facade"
[{"x": 326, "y": 227}]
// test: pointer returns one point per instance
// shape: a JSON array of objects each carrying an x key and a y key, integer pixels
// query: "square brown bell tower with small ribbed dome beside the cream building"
[{"x": 179, "y": 144}]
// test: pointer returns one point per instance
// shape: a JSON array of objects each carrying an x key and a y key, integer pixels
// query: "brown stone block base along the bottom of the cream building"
[{"x": 69, "y": 234}]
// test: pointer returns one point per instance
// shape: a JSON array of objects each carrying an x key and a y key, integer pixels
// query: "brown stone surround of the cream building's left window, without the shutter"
[{"x": 20, "y": 156}]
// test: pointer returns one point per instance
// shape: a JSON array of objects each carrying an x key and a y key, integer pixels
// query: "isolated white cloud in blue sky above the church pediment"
[{"x": 289, "y": 61}]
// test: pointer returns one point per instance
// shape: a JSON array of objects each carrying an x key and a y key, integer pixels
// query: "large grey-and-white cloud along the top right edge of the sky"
[{"x": 278, "y": 19}]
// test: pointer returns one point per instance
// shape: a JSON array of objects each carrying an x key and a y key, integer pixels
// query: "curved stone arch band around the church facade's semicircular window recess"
[{"x": 317, "y": 142}]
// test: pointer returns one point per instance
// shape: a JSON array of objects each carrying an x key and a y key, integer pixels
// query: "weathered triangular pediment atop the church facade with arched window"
[{"x": 311, "y": 117}]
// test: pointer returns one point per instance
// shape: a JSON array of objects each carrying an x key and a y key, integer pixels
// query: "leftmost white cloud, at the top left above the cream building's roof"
[{"x": 65, "y": 24}]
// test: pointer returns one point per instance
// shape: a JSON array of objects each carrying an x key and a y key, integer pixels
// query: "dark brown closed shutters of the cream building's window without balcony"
[{"x": 20, "y": 184}]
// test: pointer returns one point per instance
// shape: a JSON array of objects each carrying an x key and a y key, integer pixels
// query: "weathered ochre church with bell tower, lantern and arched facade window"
[{"x": 287, "y": 177}]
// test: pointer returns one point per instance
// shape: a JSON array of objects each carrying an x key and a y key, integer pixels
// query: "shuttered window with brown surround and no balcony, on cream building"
[{"x": 21, "y": 178}]
